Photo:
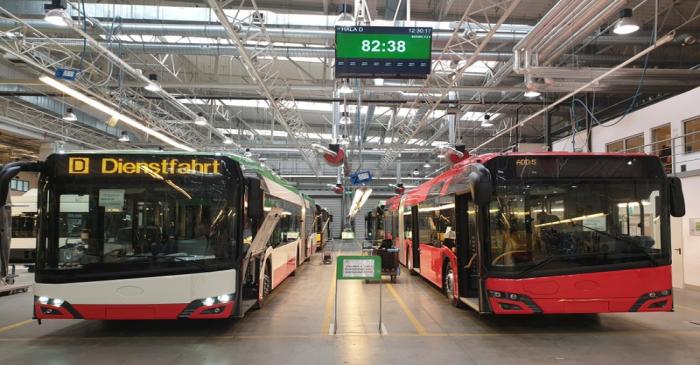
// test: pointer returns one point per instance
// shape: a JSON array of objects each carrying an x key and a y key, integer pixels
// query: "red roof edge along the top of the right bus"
[{"x": 421, "y": 192}]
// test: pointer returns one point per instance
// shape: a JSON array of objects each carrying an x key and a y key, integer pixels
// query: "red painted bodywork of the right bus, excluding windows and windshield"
[{"x": 643, "y": 289}]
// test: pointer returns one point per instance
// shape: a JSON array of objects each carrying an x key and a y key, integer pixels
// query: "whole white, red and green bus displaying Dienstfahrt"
[{"x": 162, "y": 235}]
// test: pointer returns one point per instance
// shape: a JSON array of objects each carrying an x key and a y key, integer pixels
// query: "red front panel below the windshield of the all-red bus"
[{"x": 609, "y": 291}]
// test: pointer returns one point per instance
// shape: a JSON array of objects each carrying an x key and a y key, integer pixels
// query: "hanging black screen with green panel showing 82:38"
[{"x": 388, "y": 52}]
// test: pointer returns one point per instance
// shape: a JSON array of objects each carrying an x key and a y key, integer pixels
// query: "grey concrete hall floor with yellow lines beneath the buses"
[{"x": 421, "y": 328}]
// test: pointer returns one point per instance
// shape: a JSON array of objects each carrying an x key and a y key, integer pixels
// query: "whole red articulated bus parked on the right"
[{"x": 526, "y": 233}]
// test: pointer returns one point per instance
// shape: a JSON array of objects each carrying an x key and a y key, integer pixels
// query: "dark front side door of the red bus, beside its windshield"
[{"x": 467, "y": 247}]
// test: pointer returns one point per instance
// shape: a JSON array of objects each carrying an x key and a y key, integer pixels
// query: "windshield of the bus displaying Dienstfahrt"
[{"x": 138, "y": 222}]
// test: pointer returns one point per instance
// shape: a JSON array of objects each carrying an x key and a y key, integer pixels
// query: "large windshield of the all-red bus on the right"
[{"x": 549, "y": 225}]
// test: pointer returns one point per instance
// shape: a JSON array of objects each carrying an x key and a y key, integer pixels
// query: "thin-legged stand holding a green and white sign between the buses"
[{"x": 357, "y": 268}]
